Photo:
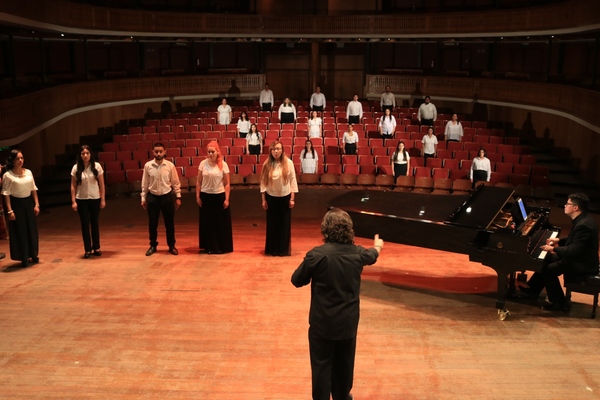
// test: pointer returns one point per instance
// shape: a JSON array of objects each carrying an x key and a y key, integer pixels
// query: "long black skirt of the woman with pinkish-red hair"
[{"x": 215, "y": 222}]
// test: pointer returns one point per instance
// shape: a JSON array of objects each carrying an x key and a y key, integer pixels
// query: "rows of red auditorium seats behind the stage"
[{"x": 186, "y": 136}]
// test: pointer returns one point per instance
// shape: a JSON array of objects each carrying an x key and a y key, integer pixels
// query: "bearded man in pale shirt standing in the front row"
[{"x": 161, "y": 193}]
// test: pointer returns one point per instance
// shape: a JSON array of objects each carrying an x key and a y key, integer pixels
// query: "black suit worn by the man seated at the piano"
[{"x": 576, "y": 258}]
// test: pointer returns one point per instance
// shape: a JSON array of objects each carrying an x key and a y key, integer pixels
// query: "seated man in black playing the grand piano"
[{"x": 575, "y": 257}]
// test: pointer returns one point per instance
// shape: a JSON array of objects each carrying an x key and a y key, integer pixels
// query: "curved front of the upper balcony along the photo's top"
[{"x": 69, "y": 17}]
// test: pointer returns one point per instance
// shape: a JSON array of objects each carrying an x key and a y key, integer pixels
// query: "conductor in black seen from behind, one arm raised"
[{"x": 334, "y": 273}]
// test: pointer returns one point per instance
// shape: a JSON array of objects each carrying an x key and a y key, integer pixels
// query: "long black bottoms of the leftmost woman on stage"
[{"x": 23, "y": 233}]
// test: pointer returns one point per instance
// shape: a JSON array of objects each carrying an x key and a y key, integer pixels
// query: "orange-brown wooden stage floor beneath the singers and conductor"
[{"x": 198, "y": 326}]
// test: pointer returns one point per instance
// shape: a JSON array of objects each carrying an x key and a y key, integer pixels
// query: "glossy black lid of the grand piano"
[{"x": 477, "y": 210}]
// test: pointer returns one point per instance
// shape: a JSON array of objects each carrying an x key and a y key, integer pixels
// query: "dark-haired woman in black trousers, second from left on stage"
[{"x": 87, "y": 198}]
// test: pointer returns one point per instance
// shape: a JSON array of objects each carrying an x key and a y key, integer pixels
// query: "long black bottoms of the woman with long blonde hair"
[{"x": 279, "y": 226}]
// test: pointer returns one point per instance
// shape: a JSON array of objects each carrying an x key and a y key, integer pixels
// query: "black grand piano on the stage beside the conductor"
[{"x": 489, "y": 225}]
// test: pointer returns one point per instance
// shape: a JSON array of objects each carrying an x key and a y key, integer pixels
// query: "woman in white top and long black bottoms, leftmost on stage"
[{"x": 22, "y": 206}]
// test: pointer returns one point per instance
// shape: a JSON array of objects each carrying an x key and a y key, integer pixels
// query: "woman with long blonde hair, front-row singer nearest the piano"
[{"x": 278, "y": 188}]
